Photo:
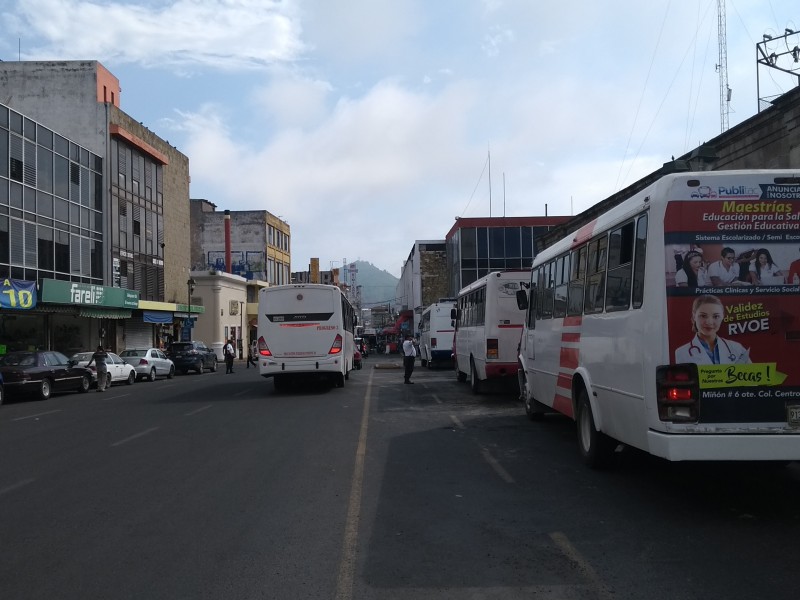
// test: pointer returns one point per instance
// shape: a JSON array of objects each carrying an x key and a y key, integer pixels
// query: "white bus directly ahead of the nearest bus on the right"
[{"x": 488, "y": 328}]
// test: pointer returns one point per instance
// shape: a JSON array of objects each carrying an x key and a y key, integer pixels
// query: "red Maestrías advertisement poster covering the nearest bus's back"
[{"x": 733, "y": 291}]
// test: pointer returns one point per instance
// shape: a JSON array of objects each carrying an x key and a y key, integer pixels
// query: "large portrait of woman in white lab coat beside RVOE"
[{"x": 707, "y": 348}]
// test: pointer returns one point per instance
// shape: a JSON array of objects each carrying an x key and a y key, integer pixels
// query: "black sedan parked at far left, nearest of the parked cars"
[{"x": 42, "y": 373}]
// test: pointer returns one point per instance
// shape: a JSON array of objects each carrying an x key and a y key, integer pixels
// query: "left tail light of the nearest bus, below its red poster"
[{"x": 678, "y": 393}]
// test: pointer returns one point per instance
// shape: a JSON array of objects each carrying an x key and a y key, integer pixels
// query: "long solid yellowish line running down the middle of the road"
[{"x": 347, "y": 565}]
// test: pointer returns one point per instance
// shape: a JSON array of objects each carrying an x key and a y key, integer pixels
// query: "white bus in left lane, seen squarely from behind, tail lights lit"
[{"x": 305, "y": 329}]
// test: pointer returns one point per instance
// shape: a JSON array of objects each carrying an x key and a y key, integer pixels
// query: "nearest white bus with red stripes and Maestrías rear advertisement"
[{"x": 647, "y": 328}]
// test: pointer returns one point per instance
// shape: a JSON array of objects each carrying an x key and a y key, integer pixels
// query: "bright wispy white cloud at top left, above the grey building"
[{"x": 221, "y": 34}]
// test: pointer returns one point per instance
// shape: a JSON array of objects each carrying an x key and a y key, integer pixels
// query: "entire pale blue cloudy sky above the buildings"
[{"x": 368, "y": 124}]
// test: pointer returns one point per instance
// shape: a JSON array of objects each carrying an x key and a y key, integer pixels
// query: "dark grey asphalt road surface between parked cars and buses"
[{"x": 215, "y": 486}]
